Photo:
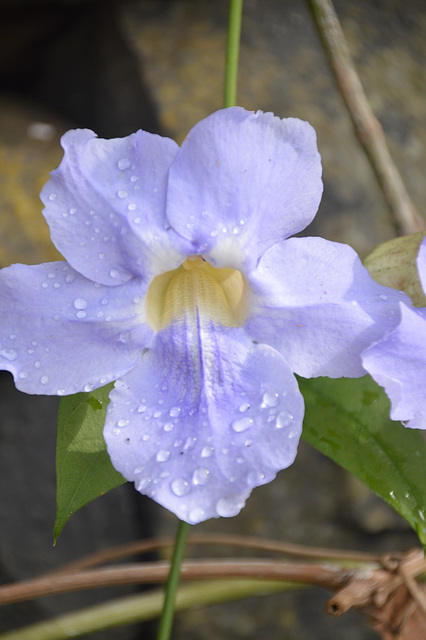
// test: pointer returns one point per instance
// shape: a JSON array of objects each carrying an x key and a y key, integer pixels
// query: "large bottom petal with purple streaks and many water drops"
[{"x": 204, "y": 418}]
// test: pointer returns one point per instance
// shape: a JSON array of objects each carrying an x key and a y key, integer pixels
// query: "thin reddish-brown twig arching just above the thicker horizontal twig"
[{"x": 241, "y": 542}]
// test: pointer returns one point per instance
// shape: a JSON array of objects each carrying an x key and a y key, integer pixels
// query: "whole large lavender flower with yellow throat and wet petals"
[{"x": 181, "y": 285}]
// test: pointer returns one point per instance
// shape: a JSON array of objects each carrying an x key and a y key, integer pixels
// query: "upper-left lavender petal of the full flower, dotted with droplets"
[{"x": 105, "y": 205}]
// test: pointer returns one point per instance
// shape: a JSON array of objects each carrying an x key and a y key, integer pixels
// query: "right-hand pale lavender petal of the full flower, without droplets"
[{"x": 319, "y": 306}]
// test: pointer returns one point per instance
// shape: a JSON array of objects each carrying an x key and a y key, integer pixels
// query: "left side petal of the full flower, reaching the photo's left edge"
[{"x": 61, "y": 333}]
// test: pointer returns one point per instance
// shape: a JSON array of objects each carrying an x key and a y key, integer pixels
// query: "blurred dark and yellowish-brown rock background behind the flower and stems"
[{"x": 158, "y": 65}]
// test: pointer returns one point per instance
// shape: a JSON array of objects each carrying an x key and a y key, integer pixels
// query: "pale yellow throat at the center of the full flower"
[{"x": 197, "y": 288}]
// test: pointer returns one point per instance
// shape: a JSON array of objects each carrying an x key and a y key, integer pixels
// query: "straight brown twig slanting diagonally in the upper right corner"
[{"x": 368, "y": 130}]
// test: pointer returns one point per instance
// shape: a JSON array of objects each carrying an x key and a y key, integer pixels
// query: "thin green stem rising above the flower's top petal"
[{"x": 232, "y": 51}]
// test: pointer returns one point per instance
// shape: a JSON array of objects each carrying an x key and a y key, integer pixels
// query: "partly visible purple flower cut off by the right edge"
[{"x": 398, "y": 362}]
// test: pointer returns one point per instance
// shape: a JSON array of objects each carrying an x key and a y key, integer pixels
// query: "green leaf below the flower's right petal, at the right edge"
[{"x": 348, "y": 420}]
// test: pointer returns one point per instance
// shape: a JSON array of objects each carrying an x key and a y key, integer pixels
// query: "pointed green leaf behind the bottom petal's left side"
[{"x": 83, "y": 468}]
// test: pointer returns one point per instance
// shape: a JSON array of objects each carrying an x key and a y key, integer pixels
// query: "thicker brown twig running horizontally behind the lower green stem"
[{"x": 156, "y": 572}]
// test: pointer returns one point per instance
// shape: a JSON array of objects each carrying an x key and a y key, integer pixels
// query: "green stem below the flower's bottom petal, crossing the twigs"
[{"x": 166, "y": 619}]
